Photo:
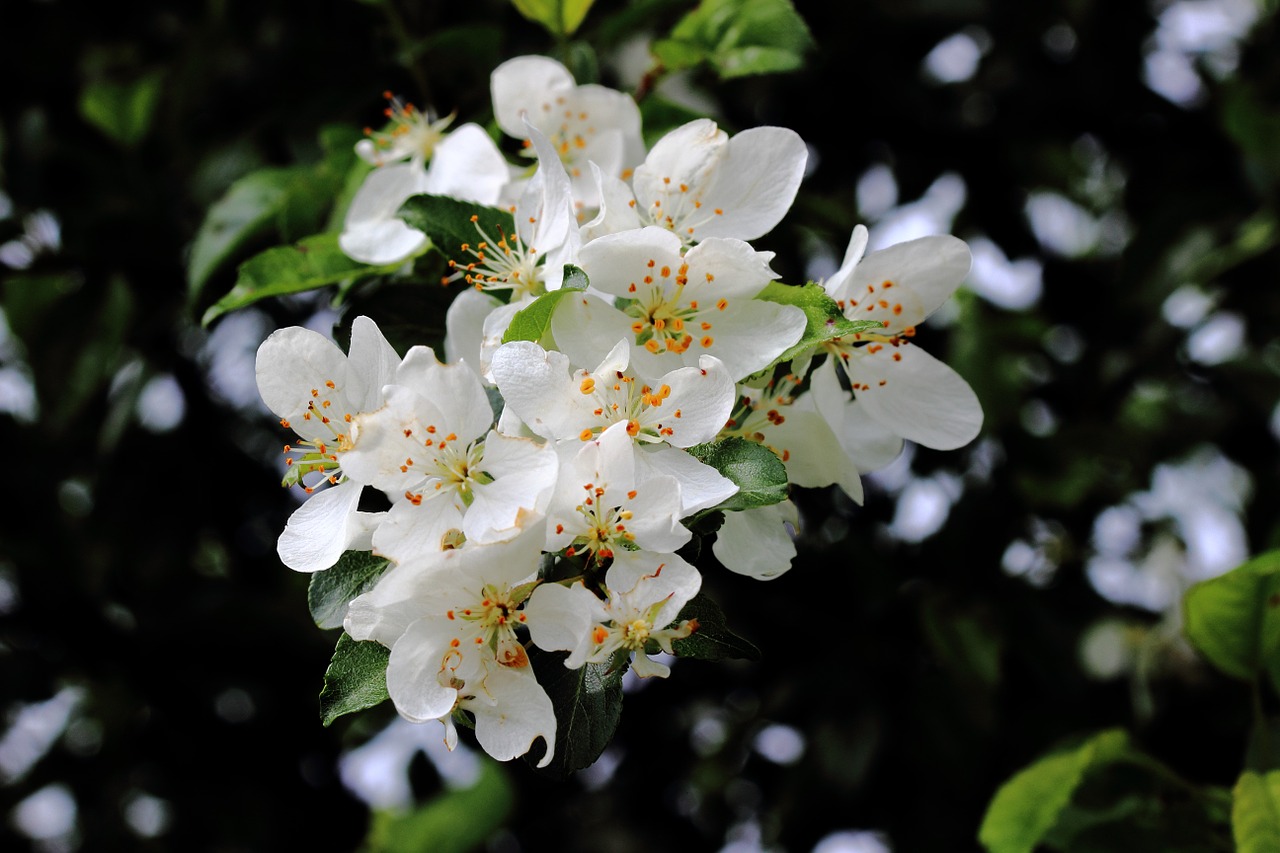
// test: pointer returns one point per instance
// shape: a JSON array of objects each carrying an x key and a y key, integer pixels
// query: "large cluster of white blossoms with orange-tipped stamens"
[{"x": 620, "y": 350}]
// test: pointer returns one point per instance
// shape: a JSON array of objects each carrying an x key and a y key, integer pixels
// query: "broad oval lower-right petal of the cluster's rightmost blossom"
[{"x": 921, "y": 399}]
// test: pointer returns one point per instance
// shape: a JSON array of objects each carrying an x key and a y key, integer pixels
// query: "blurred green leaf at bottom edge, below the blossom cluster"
[{"x": 456, "y": 822}]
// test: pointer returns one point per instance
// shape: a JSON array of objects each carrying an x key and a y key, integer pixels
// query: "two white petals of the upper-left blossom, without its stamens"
[{"x": 465, "y": 165}]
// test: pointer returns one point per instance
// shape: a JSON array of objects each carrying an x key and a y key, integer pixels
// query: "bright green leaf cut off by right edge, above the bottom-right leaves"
[{"x": 1235, "y": 619}]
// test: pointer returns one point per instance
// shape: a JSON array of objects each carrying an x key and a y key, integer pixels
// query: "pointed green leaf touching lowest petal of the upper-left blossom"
[{"x": 305, "y": 266}]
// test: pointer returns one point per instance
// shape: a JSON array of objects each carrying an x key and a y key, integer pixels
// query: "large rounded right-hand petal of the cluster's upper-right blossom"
[{"x": 756, "y": 184}]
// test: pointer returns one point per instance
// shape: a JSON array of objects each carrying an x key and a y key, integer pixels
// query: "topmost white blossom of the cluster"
[{"x": 584, "y": 124}]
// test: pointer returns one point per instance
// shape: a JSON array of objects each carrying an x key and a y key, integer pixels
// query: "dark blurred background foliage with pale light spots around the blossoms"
[{"x": 1116, "y": 170}]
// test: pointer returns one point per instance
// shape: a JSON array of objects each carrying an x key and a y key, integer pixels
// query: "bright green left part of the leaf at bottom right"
[{"x": 1028, "y": 806}]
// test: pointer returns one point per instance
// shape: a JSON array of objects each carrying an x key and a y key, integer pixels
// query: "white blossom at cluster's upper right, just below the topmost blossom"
[{"x": 700, "y": 184}]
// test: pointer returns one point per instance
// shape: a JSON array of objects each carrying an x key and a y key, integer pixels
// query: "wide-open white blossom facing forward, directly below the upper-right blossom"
[{"x": 675, "y": 308}]
